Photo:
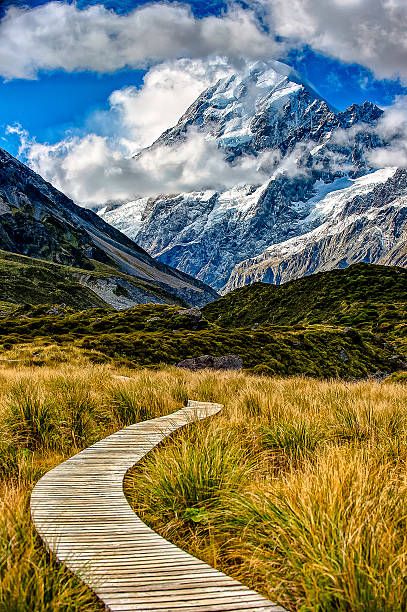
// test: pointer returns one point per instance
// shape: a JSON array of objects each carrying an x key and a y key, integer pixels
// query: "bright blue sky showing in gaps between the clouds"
[{"x": 59, "y": 102}]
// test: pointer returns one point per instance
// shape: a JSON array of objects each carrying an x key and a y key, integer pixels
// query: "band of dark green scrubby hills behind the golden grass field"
[{"x": 347, "y": 324}]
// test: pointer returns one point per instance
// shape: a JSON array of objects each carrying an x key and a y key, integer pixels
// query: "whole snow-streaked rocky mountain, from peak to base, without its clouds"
[{"x": 321, "y": 194}]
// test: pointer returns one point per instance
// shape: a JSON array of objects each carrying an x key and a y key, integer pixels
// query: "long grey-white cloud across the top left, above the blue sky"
[{"x": 57, "y": 35}]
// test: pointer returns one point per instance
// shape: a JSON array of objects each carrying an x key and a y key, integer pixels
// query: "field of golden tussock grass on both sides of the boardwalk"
[{"x": 298, "y": 488}]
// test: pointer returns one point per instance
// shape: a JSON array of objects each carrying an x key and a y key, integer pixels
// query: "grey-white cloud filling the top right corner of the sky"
[{"x": 369, "y": 32}]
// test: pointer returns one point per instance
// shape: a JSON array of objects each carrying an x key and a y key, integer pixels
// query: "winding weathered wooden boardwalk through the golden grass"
[{"x": 82, "y": 515}]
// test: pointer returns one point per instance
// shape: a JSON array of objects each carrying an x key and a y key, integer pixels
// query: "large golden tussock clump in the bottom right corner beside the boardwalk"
[{"x": 333, "y": 534}]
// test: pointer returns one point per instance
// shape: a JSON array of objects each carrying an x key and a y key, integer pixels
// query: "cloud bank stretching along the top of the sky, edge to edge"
[{"x": 57, "y": 35}]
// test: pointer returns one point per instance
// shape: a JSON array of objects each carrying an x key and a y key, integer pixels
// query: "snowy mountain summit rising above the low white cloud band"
[{"x": 265, "y": 106}]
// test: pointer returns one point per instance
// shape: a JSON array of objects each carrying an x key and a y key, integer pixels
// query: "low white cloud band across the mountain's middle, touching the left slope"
[{"x": 93, "y": 172}]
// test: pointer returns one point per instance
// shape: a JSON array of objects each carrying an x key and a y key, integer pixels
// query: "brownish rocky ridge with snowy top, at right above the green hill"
[{"x": 366, "y": 222}]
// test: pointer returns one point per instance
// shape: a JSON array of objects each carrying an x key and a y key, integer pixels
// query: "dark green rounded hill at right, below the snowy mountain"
[{"x": 363, "y": 295}]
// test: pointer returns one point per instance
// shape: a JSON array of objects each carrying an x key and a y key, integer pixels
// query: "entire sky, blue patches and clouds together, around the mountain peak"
[{"x": 86, "y": 84}]
